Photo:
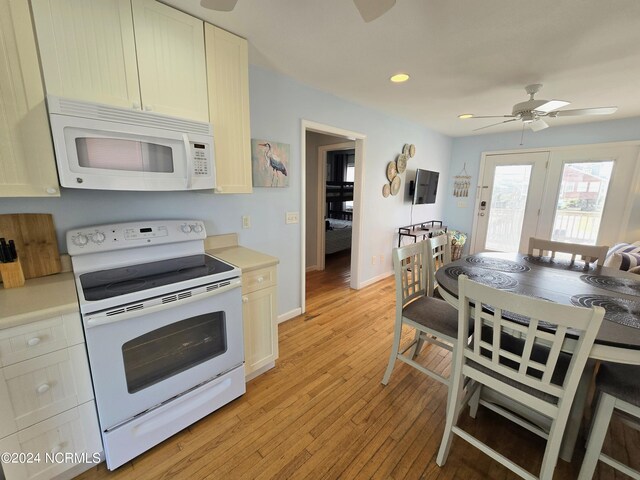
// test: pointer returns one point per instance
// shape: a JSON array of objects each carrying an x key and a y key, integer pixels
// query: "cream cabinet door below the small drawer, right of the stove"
[{"x": 260, "y": 328}]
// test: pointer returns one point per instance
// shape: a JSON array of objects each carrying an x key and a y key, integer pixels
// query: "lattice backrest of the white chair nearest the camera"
[{"x": 524, "y": 365}]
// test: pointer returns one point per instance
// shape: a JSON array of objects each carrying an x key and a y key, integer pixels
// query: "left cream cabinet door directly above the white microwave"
[{"x": 88, "y": 50}]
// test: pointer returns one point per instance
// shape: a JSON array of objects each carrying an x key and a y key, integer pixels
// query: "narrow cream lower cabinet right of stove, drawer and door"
[{"x": 259, "y": 311}]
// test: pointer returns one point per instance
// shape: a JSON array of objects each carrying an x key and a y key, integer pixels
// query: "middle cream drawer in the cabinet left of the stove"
[{"x": 36, "y": 389}]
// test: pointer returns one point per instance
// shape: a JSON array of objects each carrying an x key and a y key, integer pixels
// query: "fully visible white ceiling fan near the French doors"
[{"x": 532, "y": 111}]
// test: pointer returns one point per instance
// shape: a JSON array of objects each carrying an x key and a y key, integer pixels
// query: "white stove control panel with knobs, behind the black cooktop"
[{"x": 104, "y": 238}]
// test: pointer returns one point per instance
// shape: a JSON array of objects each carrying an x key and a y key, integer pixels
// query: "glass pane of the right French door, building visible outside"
[{"x": 583, "y": 191}]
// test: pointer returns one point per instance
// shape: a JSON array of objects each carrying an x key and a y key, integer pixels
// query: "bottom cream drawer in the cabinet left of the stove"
[{"x": 61, "y": 442}]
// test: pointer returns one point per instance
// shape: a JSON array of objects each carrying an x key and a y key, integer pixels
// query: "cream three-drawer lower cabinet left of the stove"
[{"x": 48, "y": 420}]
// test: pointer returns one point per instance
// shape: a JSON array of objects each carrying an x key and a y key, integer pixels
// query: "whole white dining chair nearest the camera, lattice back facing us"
[{"x": 529, "y": 369}]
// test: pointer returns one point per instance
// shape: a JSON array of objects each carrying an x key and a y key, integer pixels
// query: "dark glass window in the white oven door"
[{"x": 167, "y": 351}]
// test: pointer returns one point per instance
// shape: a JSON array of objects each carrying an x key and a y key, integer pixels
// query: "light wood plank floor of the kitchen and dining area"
[{"x": 323, "y": 414}]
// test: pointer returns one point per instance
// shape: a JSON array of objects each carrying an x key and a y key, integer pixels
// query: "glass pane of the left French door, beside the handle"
[{"x": 508, "y": 202}]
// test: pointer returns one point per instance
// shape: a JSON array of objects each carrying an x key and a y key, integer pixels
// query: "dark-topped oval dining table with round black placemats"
[{"x": 566, "y": 282}]
